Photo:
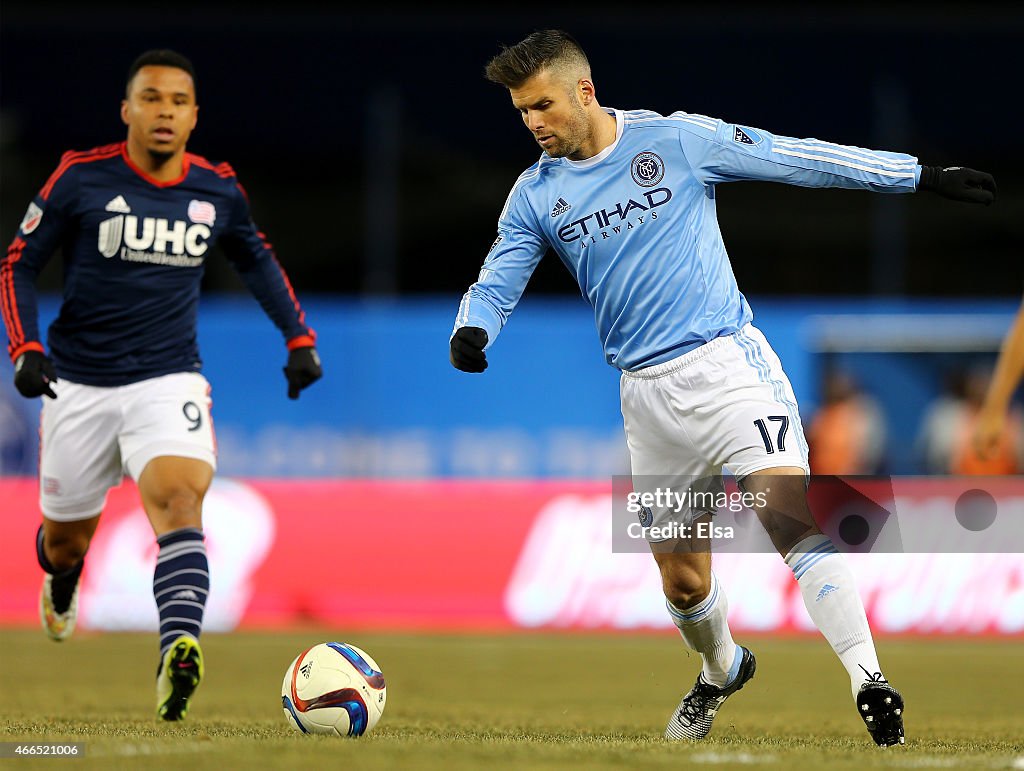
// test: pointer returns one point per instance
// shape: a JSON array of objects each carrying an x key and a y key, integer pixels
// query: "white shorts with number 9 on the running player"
[{"x": 92, "y": 437}]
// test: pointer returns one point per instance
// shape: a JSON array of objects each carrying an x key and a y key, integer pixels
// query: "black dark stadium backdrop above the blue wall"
[{"x": 378, "y": 158}]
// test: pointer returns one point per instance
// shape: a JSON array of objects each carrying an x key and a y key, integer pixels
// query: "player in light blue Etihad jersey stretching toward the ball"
[{"x": 627, "y": 200}]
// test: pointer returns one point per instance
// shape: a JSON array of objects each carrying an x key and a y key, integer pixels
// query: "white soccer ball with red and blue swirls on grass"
[{"x": 333, "y": 689}]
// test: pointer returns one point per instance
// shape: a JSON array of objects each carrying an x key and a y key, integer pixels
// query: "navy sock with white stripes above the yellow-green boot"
[{"x": 181, "y": 585}]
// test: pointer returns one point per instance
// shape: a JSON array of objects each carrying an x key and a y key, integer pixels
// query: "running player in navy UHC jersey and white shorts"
[{"x": 136, "y": 222}]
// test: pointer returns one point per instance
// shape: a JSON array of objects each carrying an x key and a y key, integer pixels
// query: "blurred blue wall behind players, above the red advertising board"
[{"x": 392, "y": 406}]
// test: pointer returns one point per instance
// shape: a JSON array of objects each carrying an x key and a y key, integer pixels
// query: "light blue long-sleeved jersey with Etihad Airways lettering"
[{"x": 636, "y": 225}]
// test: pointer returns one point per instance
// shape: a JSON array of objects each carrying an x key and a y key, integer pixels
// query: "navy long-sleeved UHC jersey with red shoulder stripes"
[{"x": 135, "y": 251}]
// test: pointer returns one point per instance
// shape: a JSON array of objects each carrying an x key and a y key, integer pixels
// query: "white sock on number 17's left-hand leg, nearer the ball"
[{"x": 705, "y": 629}]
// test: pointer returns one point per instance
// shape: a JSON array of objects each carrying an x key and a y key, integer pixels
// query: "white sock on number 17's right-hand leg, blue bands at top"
[{"x": 834, "y": 605}]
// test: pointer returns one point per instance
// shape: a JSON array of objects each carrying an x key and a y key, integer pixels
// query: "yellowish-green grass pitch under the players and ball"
[{"x": 514, "y": 702}]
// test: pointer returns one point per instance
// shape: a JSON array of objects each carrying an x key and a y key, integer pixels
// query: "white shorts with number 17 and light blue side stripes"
[{"x": 726, "y": 405}]
